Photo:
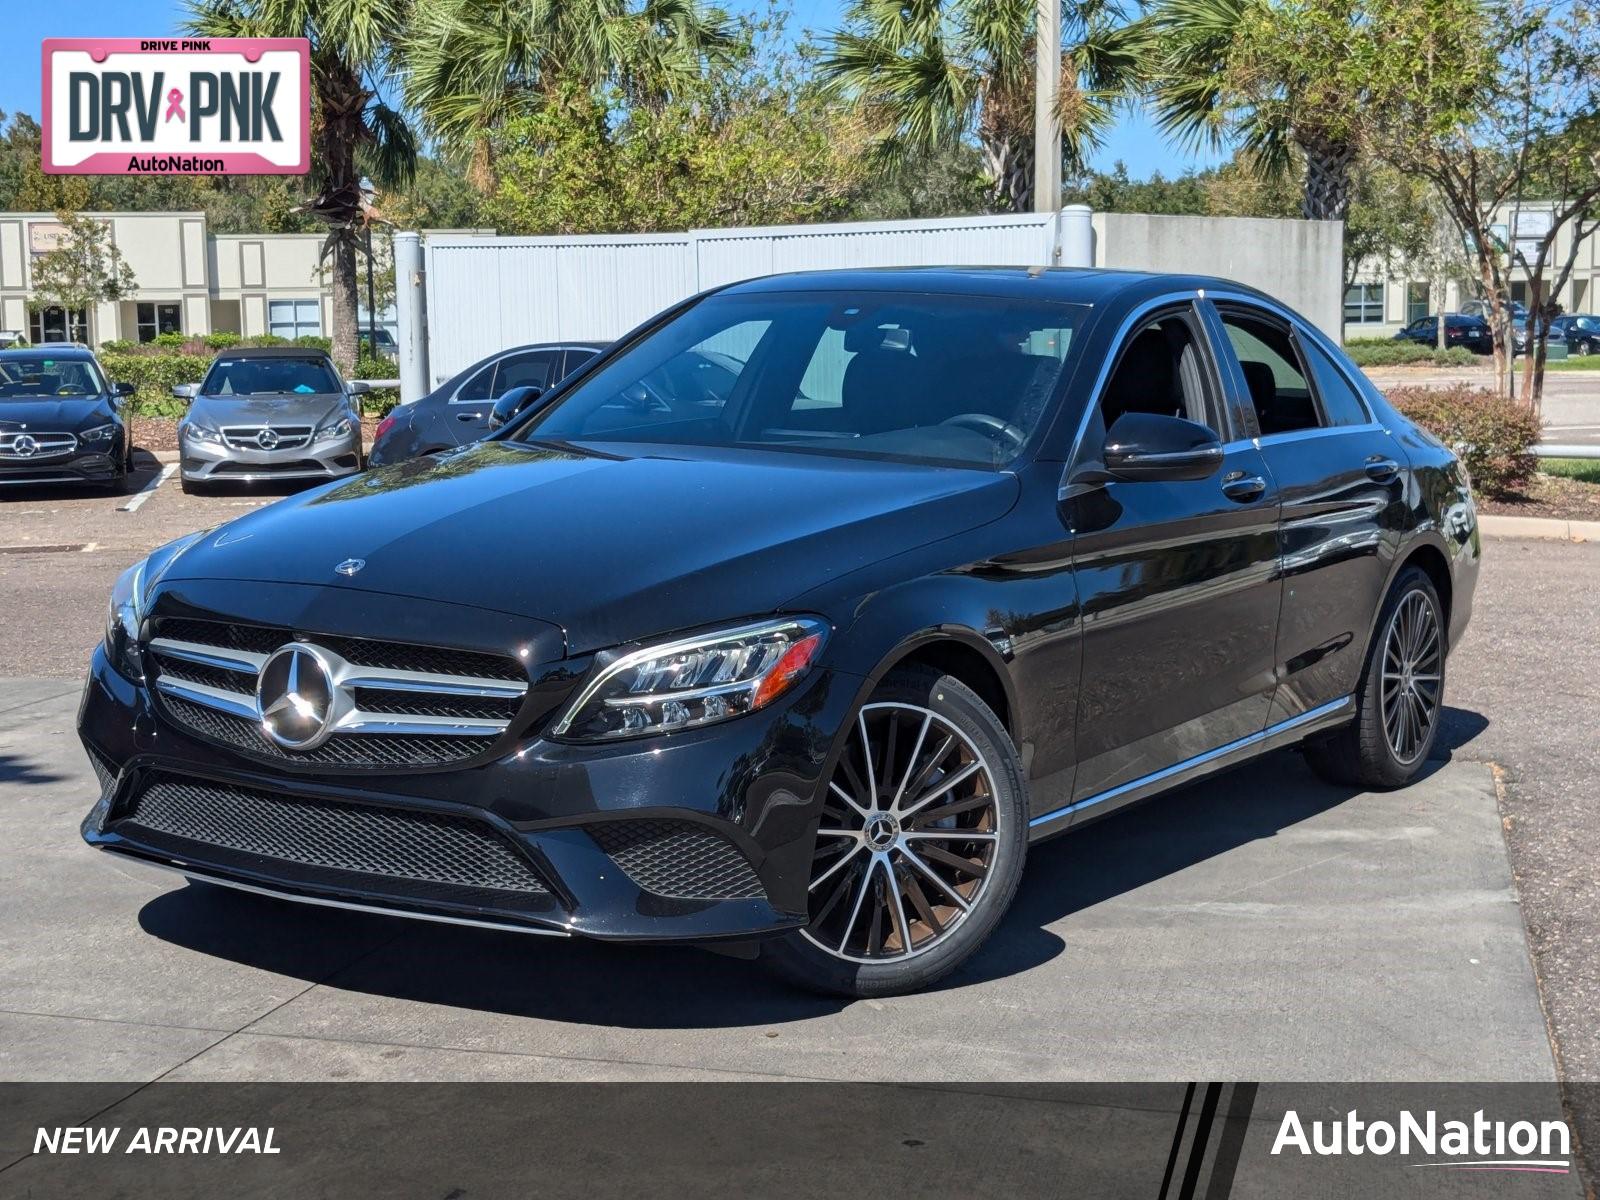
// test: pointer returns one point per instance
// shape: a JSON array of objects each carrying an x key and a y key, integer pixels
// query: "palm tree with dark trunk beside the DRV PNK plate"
[{"x": 353, "y": 132}]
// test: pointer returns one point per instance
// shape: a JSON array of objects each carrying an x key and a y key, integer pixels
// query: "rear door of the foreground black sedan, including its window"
[{"x": 1343, "y": 482}]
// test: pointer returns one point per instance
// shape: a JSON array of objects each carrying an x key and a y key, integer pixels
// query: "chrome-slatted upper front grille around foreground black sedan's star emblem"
[{"x": 394, "y": 705}]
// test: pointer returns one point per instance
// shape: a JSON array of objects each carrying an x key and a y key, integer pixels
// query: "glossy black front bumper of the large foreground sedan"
[{"x": 606, "y": 836}]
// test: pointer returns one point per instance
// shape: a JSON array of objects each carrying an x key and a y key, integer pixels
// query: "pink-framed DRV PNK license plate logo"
[{"x": 178, "y": 106}]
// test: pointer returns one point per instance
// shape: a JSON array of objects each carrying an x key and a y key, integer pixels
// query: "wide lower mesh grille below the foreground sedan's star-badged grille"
[{"x": 329, "y": 836}]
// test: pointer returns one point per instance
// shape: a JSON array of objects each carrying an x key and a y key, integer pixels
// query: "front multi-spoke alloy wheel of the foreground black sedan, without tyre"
[{"x": 908, "y": 838}]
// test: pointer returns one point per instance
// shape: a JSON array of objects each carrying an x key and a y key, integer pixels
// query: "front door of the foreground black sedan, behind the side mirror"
[{"x": 1178, "y": 582}]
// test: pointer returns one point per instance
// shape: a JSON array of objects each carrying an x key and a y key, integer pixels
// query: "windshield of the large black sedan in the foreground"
[{"x": 927, "y": 378}]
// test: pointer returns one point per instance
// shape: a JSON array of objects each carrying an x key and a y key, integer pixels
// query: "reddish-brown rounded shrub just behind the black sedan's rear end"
[{"x": 1492, "y": 434}]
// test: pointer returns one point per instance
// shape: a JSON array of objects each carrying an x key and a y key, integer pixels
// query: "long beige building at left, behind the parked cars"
[{"x": 188, "y": 281}]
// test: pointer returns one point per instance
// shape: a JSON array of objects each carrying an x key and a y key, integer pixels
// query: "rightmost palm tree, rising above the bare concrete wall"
[{"x": 1278, "y": 79}]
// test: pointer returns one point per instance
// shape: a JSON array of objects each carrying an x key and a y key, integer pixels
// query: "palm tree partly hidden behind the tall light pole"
[{"x": 938, "y": 73}]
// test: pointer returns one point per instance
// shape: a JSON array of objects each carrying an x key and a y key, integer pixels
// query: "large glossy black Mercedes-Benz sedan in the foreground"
[{"x": 961, "y": 561}]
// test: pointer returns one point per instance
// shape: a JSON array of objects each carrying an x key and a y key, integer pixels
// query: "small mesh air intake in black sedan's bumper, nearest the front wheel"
[{"x": 678, "y": 860}]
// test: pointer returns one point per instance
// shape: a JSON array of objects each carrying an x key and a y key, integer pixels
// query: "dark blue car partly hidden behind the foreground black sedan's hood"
[{"x": 458, "y": 410}]
